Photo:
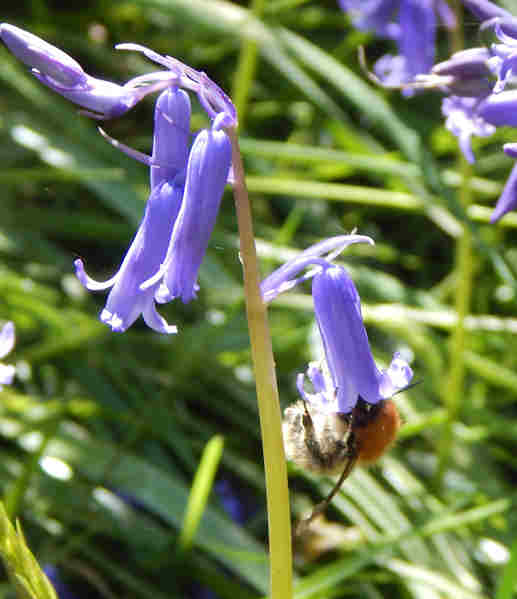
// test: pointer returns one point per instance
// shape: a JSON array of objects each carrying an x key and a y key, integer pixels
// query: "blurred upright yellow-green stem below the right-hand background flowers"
[{"x": 454, "y": 388}]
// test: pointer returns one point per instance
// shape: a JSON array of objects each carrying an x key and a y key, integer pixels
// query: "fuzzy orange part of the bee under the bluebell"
[{"x": 376, "y": 437}]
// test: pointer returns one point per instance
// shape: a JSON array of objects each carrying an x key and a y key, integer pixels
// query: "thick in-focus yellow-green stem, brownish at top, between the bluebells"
[{"x": 279, "y": 518}]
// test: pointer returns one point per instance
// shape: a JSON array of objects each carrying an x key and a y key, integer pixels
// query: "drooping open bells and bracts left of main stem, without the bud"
[{"x": 187, "y": 184}]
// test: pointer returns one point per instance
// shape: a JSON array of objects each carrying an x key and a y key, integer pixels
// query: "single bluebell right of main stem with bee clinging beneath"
[{"x": 348, "y": 371}]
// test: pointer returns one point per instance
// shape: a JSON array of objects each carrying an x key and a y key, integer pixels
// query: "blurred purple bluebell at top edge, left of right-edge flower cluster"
[{"x": 411, "y": 24}]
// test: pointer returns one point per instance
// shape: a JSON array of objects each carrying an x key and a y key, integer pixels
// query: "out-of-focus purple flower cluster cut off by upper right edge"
[{"x": 480, "y": 99}]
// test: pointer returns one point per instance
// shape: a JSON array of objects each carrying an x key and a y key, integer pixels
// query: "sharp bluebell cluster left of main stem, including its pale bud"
[{"x": 187, "y": 180}]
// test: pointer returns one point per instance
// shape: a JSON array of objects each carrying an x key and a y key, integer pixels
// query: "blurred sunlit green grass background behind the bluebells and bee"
[{"x": 102, "y": 433}]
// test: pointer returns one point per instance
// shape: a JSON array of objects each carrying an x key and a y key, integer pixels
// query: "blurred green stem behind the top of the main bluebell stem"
[{"x": 246, "y": 67}]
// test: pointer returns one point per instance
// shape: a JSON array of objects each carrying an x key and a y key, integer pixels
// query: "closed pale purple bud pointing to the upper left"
[{"x": 60, "y": 72}]
